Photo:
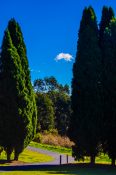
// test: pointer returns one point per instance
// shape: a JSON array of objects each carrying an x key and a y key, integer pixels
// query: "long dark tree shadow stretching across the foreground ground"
[{"x": 70, "y": 169}]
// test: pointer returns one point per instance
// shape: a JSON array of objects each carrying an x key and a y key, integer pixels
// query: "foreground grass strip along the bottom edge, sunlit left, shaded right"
[{"x": 65, "y": 170}]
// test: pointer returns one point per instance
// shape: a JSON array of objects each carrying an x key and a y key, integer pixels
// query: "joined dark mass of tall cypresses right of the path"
[{"x": 93, "y": 99}]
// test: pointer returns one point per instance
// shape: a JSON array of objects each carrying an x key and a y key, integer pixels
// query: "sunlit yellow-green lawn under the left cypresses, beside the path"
[{"x": 28, "y": 156}]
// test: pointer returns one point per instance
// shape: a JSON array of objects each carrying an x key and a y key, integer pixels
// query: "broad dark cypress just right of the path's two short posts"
[{"x": 86, "y": 89}]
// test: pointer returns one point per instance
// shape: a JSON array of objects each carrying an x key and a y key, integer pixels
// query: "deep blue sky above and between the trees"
[{"x": 50, "y": 28}]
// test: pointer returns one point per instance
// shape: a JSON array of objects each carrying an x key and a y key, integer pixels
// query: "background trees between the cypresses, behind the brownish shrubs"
[{"x": 53, "y": 105}]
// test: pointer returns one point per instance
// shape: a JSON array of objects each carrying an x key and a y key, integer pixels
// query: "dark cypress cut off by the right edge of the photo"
[{"x": 107, "y": 43}]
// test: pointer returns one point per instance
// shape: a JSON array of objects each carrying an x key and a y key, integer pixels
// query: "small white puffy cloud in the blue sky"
[{"x": 64, "y": 56}]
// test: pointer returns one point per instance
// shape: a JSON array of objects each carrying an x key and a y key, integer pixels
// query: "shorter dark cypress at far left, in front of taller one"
[{"x": 10, "y": 79}]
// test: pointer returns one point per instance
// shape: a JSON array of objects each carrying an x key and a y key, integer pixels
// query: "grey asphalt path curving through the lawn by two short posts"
[{"x": 55, "y": 155}]
